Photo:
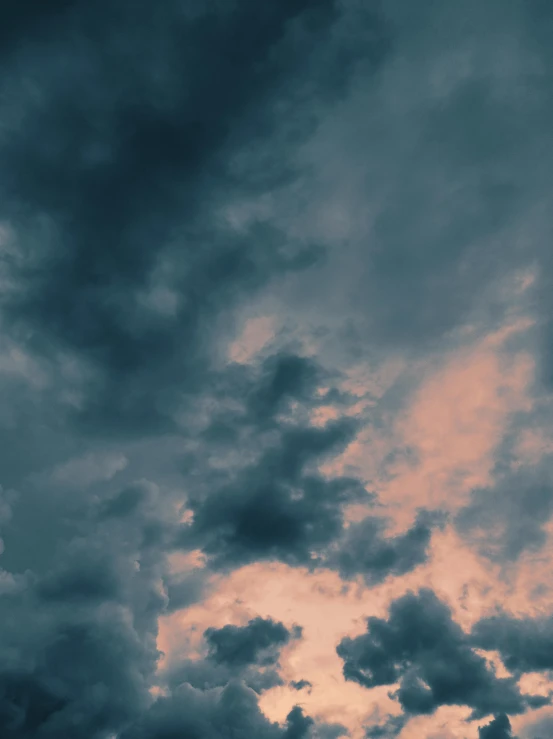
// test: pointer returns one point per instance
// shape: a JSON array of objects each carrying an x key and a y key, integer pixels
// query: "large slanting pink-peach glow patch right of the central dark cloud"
[{"x": 452, "y": 425}]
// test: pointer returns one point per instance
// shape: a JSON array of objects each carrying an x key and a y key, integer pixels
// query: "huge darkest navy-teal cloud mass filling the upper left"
[{"x": 145, "y": 122}]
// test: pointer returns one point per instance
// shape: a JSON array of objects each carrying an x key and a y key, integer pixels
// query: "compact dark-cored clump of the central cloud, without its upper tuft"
[{"x": 275, "y": 508}]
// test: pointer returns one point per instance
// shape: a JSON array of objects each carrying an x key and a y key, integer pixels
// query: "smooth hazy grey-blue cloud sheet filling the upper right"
[{"x": 429, "y": 176}]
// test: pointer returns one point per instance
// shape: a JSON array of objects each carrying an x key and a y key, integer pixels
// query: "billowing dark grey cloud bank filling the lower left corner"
[{"x": 79, "y": 643}]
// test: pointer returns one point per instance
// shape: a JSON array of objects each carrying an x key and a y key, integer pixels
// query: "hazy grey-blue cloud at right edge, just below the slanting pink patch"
[{"x": 509, "y": 517}]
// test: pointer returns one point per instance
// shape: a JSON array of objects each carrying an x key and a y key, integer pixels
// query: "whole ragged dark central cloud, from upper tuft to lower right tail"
[{"x": 278, "y": 506}]
